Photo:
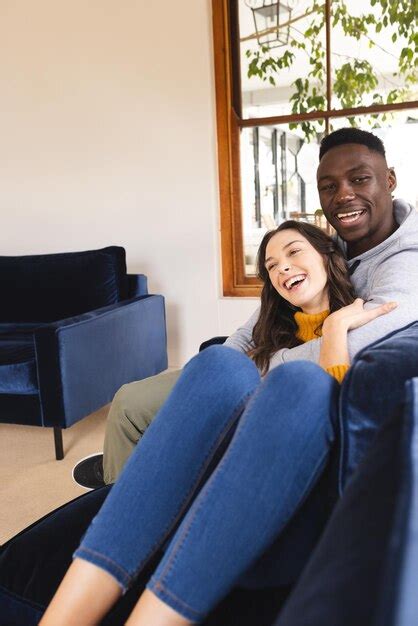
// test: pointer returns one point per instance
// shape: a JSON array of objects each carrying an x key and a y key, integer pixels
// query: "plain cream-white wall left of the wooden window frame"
[{"x": 108, "y": 136}]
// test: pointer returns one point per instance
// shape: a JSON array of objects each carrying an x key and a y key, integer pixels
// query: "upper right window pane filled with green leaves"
[{"x": 372, "y": 59}]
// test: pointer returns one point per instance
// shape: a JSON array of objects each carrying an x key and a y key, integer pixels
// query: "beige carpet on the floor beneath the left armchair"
[{"x": 32, "y": 482}]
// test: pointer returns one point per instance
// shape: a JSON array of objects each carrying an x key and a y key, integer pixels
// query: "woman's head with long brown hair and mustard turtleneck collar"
[{"x": 305, "y": 278}]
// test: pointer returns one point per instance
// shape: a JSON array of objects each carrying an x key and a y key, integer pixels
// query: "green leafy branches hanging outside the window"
[{"x": 353, "y": 78}]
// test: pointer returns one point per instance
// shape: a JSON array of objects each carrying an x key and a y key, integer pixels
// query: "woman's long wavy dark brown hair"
[{"x": 276, "y": 327}]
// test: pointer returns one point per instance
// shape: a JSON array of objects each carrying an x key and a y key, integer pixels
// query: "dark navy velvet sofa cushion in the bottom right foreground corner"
[{"x": 364, "y": 569}]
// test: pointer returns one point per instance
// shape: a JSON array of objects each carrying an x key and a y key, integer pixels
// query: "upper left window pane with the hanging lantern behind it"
[{"x": 271, "y": 92}]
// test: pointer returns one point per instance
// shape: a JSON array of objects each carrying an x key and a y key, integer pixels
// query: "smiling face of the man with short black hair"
[{"x": 355, "y": 186}]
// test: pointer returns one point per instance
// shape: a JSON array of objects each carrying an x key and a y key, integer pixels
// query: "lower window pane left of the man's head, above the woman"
[{"x": 278, "y": 168}]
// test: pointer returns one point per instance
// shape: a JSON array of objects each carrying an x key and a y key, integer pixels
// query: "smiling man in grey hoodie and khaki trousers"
[{"x": 380, "y": 238}]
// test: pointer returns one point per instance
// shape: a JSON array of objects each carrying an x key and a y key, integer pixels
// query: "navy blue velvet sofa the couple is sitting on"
[{"x": 359, "y": 569}]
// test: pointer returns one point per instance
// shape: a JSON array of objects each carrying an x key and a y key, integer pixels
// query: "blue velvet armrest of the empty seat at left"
[{"x": 82, "y": 361}]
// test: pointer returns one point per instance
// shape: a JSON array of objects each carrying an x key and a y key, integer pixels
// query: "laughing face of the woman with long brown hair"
[{"x": 297, "y": 271}]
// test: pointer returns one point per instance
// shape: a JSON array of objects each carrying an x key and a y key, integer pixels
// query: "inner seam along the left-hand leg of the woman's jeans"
[{"x": 206, "y": 461}]
